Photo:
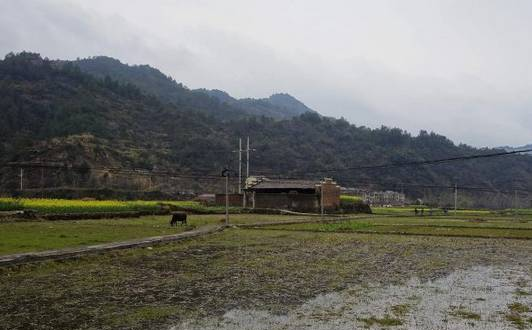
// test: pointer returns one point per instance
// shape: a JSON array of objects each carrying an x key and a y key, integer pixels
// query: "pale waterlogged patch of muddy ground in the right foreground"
[{"x": 489, "y": 298}]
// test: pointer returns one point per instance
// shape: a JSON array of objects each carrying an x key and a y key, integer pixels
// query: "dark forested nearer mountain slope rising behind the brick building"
[{"x": 53, "y": 112}]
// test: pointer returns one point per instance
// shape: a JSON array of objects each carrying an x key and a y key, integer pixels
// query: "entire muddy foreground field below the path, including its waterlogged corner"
[{"x": 264, "y": 279}]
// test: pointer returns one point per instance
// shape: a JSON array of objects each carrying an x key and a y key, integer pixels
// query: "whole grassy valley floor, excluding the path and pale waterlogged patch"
[{"x": 274, "y": 268}]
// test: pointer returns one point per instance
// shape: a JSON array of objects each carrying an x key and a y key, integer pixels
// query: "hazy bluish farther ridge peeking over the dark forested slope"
[{"x": 213, "y": 102}]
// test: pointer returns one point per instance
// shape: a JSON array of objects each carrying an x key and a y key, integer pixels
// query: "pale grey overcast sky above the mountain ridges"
[{"x": 460, "y": 68}]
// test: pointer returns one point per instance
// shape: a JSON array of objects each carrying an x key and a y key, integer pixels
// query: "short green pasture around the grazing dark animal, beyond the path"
[{"x": 16, "y": 237}]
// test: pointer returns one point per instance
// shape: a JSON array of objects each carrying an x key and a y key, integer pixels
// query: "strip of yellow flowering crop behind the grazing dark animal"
[{"x": 43, "y": 205}]
